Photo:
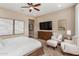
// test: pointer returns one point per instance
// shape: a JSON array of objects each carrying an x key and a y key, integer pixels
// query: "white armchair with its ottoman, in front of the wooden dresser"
[{"x": 55, "y": 39}]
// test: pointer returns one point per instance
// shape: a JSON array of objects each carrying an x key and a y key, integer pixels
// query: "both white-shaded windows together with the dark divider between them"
[{"x": 9, "y": 27}]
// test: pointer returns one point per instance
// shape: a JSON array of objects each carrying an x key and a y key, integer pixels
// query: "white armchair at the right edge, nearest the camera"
[{"x": 71, "y": 46}]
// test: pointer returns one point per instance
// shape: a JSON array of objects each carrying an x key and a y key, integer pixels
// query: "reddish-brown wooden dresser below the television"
[{"x": 44, "y": 35}]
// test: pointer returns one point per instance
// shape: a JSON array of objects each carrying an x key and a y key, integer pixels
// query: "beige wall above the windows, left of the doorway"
[{"x": 5, "y": 13}]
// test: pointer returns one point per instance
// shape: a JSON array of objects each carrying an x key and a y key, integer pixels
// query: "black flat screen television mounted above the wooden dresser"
[{"x": 46, "y": 25}]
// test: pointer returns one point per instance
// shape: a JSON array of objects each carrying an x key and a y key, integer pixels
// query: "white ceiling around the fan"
[{"x": 44, "y": 8}]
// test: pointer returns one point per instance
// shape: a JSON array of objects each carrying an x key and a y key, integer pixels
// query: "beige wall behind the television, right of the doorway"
[{"x": 67, "y": 14}]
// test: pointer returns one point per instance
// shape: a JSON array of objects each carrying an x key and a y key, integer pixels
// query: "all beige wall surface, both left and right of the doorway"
[{"x": 68, "y": 14}]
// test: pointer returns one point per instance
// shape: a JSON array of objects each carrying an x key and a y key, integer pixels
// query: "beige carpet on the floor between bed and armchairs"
[{"x": 49, "y": 51}]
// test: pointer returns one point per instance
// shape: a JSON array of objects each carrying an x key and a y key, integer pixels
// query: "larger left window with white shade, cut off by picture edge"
[{"x": 6, "y": 26}]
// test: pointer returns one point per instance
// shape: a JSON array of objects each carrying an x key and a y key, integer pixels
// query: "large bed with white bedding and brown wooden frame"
[{"x": 20, "y": 46}]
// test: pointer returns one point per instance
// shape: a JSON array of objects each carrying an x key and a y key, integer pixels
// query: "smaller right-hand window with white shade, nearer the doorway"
[{"x": 19, "y": 27}]
